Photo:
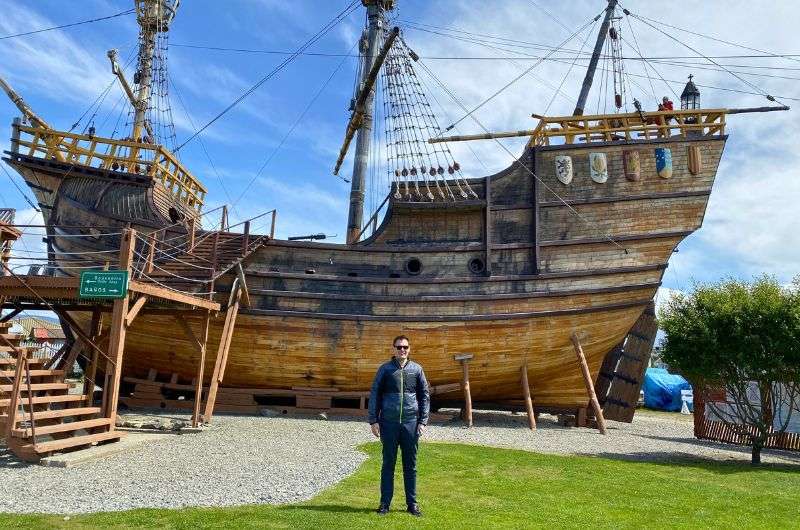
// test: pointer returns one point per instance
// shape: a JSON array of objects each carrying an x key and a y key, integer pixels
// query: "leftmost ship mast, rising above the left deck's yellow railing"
[{"x": 153, "y": 16}]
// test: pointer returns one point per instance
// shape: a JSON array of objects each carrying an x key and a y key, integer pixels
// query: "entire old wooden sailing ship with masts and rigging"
[{"x": 514, "y": 272}]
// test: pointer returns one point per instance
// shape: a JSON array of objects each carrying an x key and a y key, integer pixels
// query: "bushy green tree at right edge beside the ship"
[{"x": 743, "y": 338}]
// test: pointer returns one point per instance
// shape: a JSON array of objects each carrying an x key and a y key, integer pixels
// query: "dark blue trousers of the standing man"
[{"x": 404, "y": 435}]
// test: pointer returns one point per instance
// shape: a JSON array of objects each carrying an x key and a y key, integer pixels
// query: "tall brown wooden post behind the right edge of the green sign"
[{"x": 118, "y": 331}]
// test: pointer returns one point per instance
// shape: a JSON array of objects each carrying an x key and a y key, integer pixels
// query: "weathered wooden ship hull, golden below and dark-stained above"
[{"x": 584, "y": 258}]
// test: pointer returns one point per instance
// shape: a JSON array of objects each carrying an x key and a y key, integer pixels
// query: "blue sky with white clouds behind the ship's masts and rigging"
[{"x": 248, "y": 159}]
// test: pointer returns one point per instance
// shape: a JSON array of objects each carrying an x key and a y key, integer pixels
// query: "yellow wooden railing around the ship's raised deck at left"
[{"x": 111, "y": 154}]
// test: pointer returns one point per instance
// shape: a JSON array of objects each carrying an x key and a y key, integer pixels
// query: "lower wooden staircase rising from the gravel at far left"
[{"x": 38, "y": 415}]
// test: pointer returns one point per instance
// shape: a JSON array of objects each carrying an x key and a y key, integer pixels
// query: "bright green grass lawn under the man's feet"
[{"x": 464, "y": 486}]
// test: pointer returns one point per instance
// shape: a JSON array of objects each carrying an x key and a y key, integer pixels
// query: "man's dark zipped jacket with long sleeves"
[{"x": 400, "y": 394}]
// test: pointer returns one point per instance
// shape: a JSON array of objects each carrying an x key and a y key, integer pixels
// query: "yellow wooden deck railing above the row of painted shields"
[{"x": 629, "y": 126}]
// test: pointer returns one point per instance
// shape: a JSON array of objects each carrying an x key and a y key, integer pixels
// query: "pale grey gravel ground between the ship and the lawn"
[{"x": 256, "y": 460}]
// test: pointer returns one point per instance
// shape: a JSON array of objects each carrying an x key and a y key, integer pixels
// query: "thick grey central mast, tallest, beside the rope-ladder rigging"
[{"x": 369, "y": 48}]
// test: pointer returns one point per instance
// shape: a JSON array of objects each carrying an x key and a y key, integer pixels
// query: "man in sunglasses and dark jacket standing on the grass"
[{"x": 399, "y": 405}]
